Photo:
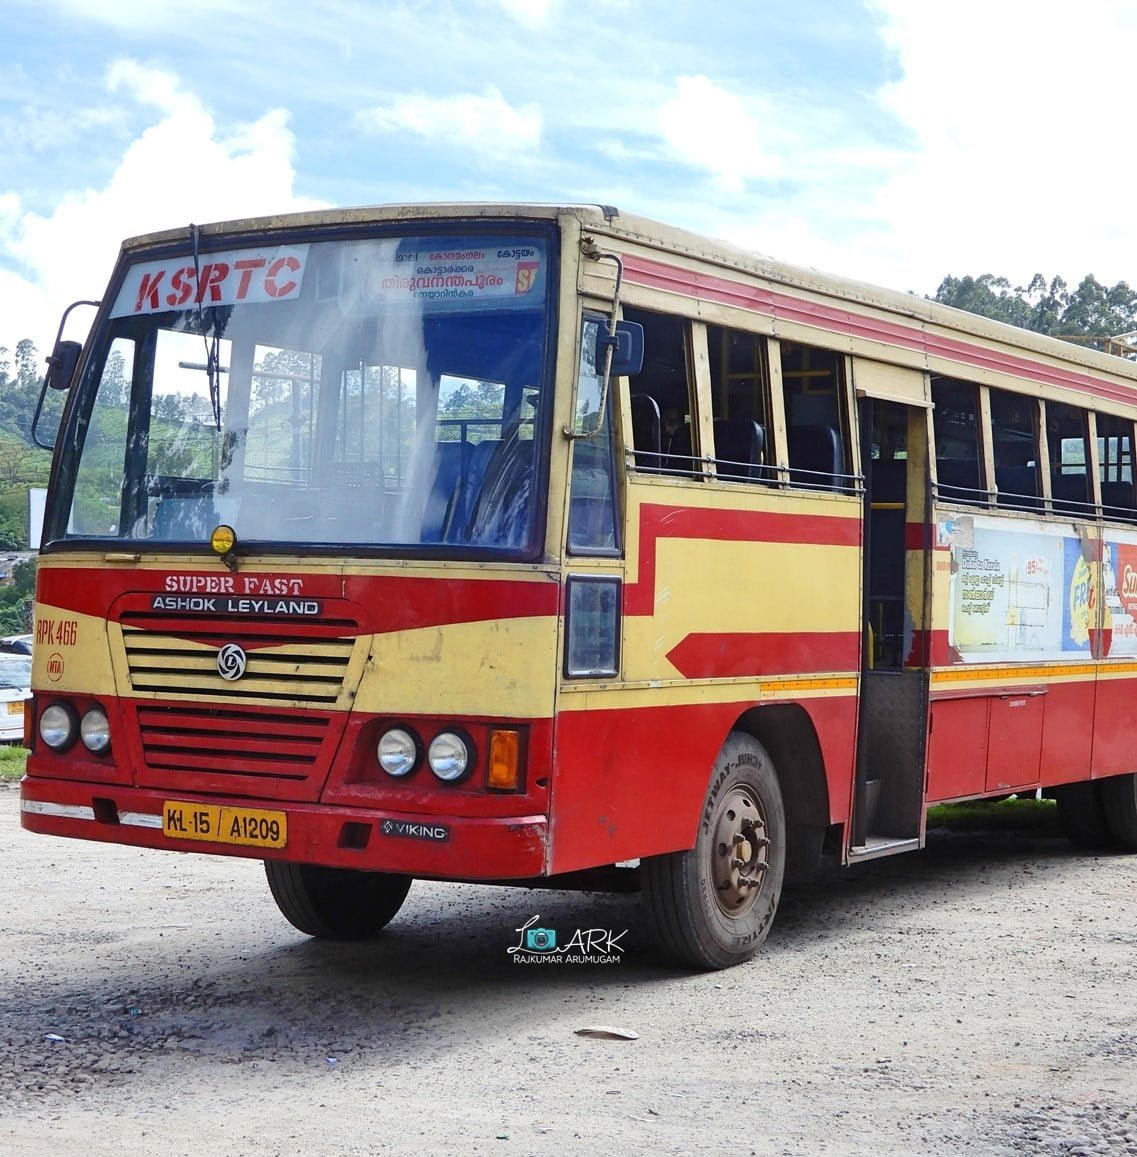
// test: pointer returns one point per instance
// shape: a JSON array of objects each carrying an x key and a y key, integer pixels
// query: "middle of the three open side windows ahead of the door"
[{"x": 740, "y": 406}]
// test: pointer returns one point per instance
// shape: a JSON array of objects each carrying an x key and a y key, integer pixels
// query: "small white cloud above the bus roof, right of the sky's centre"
[{"x": 713, "y": 130}]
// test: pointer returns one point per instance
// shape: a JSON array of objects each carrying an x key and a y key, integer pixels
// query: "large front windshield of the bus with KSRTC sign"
[{"x": 389, "y": 393}]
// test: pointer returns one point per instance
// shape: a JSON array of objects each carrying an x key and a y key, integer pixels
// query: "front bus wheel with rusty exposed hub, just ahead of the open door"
[{"x": 712, "y": 907}]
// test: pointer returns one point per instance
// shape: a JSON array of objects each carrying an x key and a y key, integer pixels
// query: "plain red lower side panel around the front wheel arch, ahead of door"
[{"x": 632, "y": 782}]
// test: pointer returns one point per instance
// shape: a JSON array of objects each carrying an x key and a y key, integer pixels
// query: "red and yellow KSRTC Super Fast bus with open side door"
[{"x": 552, "y": 547}]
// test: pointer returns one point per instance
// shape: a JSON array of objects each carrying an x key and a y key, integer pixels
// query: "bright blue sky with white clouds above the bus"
[{"x": 895, "y": 142}]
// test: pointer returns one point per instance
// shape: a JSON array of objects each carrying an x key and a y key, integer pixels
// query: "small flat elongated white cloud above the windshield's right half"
[{"x": 482, "y": 123}]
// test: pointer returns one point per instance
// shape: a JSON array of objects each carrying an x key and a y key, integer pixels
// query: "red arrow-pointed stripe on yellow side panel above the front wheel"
[{"x": 726, "y": 655}]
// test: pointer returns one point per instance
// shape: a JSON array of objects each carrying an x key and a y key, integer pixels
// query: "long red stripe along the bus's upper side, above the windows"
[{"x": 762, "y": 300}]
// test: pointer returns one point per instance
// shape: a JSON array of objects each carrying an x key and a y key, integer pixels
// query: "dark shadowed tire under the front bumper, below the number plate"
[{"x": 336, "y": 903}]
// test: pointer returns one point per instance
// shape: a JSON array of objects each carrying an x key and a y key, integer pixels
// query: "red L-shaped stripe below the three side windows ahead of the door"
[{"x": 663, "y": 522}]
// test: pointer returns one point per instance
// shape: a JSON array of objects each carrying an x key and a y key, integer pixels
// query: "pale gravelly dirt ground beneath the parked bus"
[{"x": 978, "y": 998}]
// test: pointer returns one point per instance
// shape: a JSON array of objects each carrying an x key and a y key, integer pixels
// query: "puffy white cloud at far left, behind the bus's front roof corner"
[{"x": 182, "y": 168}]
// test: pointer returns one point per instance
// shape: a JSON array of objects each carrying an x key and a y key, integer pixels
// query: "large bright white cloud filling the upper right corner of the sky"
[{"x": 1018, "y": 166}]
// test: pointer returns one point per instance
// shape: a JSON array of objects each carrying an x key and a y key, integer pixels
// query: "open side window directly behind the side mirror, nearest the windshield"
[{"x": 663, "y": 437}]
